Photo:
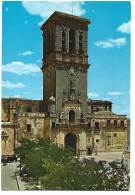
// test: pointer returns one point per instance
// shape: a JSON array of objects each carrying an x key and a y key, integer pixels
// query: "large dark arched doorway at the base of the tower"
[{"x": 71, "y": 140}]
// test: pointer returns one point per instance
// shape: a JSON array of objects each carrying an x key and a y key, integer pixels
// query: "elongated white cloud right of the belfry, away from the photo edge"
[{"x": 111, "y": 43}]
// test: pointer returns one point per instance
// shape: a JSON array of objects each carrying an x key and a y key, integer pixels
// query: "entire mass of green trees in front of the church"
[{"x": 58, "y": 169}]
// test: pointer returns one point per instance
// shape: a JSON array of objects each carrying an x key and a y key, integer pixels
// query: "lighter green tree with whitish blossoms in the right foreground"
[{"x": 77, "y": 175}]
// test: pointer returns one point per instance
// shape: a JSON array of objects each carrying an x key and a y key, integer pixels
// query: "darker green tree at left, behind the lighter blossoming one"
[{"x": 32, "y": 154}]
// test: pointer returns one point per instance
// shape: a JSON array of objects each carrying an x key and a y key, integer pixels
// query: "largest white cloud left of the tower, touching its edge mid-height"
[{"x": 20, "y": 68}]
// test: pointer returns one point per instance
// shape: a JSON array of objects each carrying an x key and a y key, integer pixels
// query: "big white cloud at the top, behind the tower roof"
[{"x": 45, "y": 8}]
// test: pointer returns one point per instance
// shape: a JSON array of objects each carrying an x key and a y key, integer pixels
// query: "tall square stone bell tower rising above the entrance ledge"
[{"x": 64, "y": 67}]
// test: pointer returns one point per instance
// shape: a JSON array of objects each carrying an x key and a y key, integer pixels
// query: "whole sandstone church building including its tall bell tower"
[{"x": 65, "y": 114}]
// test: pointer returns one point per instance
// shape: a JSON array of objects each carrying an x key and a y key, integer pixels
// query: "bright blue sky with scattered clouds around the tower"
[{"x": 108, "y": 48}]
